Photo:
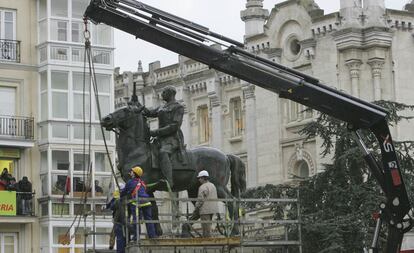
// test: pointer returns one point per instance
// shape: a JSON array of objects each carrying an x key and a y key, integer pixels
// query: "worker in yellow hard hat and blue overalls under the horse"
[{"x": 135, "y": 186}]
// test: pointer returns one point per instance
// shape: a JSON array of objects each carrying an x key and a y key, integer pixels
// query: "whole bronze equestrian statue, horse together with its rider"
[{"x": 167, "y": 165}]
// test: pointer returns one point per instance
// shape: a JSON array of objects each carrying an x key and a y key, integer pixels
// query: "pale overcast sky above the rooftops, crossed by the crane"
[{"x": 220, "y": 16}]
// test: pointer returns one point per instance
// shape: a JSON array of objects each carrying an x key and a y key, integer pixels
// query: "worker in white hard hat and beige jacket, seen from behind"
[{"x": 204, "y": 207}]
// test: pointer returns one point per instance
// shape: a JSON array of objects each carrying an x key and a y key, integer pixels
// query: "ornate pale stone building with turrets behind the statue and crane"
[{"x": 363, "y": 49}]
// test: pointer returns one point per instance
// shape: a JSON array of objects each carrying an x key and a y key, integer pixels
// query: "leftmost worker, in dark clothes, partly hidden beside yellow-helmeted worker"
[{"x": 118, "y": 219}]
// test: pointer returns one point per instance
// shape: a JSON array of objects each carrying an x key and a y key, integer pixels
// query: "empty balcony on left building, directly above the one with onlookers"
[{"x": 16, "y": 131}]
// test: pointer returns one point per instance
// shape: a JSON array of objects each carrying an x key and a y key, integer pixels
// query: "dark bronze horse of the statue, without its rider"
[{"x": 134, "y": 148}]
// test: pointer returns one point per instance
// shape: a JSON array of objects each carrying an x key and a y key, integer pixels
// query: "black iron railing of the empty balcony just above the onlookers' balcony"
[{"x": 17, "y": 127}]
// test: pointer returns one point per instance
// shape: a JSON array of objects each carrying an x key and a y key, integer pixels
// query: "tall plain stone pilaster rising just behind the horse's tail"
[{"x": 250, "y": 133}]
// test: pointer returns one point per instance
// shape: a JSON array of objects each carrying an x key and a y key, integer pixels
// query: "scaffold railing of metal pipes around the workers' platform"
[{"x": 263, "y": 223}]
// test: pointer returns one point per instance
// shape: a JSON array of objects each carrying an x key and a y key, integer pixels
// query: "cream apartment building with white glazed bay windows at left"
[{"x": 49, "y": 128}]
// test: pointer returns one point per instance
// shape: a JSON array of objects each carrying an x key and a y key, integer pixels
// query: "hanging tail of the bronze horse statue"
[{"x": 238, "y": 175}]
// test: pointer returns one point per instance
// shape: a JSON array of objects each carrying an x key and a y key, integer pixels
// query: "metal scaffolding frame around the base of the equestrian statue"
[{"x": 253, "y": 232}]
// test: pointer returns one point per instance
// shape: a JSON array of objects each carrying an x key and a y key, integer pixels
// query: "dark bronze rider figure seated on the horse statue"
[{"x": 169, "y": 135}]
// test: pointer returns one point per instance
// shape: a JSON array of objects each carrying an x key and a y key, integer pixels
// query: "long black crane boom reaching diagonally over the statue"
[{"x": 189, "y": 39}]
